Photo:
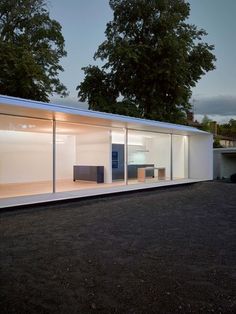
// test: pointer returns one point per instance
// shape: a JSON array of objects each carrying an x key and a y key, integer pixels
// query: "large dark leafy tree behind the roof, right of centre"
[{"x": 152, "y": 58}]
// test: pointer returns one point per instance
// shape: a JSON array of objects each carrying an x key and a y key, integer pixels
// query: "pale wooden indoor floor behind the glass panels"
[{"x": 32, "y": 188}]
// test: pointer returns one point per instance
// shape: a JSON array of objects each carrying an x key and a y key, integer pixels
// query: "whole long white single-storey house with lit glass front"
[{"x": 47, "y": 149}]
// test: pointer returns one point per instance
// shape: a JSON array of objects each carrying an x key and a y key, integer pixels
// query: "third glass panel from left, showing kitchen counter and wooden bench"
[{"x": 148, "y": 157}]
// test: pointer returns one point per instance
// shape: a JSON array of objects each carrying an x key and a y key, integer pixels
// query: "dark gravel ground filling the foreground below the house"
[{"x": 162, "y": 251}]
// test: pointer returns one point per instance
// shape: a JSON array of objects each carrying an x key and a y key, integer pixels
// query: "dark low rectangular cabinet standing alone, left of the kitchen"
[{"x": 89, "y": 173}]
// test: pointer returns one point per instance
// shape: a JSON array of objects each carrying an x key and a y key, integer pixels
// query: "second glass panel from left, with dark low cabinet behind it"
[{"x": 84, "y": 157}]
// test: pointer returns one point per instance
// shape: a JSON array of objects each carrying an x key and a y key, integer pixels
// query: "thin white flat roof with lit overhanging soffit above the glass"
[{"x": 30, "y": 108}]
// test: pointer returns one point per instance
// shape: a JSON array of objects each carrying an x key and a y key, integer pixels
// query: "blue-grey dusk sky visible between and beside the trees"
[{"x": 83, "y": 25}]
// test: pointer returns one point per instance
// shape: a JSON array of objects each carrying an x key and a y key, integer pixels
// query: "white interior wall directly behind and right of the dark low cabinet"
[{"x": 93, "y": 148}]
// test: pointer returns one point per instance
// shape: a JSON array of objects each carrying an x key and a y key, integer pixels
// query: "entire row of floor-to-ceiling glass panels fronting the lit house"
[{"x": 85, "y": 156}]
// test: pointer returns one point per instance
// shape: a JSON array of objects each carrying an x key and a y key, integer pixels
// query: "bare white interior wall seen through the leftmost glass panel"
[{"x": 25, "y": 157}]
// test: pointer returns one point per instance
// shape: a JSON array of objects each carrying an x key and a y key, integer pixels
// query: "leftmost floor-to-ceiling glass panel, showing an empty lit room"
[{"x": 25, "y": 156}]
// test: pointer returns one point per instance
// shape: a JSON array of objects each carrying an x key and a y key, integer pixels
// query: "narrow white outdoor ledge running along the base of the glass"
[{"x": 51, "y": 197}]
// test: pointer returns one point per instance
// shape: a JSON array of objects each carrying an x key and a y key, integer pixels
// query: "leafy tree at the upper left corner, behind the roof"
[{"x": 31, "y": 45}]
